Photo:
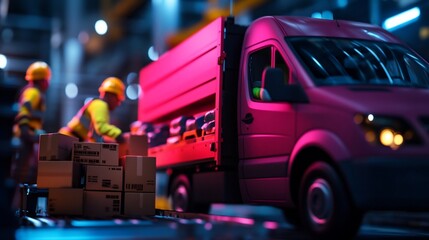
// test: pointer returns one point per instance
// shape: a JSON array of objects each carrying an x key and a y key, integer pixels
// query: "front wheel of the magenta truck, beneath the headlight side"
[{"x": 325, "y": 208}]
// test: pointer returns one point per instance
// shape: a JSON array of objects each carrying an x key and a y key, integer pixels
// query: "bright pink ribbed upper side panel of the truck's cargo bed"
[{"x": 194, "y": 62}]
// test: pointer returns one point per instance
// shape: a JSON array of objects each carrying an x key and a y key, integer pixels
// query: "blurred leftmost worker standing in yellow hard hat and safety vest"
[{"x": 28, "y": 122}]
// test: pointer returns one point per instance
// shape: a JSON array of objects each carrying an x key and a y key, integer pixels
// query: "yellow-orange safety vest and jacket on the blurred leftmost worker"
[{"x": 31, "y": 108}]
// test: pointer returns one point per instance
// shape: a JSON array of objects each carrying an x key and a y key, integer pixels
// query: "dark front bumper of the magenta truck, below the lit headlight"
[{"x": 388, "y": 183}]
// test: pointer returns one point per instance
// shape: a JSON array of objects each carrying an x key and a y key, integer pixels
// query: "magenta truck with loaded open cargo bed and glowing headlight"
[{"x": 297, "y": 103}]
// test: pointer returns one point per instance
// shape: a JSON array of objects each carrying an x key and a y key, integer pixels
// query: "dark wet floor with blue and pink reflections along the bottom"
[{"x": 226, "y": 222}]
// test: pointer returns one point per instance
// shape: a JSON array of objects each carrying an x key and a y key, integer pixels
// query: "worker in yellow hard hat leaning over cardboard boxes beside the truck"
[{"x": 92, "y": 122}]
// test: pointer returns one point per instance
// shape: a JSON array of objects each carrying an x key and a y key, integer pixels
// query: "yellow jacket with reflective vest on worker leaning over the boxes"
[{"x": 91, "y": 123}]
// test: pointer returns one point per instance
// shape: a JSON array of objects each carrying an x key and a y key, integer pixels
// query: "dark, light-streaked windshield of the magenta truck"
[{"x": 334, "y": 61}]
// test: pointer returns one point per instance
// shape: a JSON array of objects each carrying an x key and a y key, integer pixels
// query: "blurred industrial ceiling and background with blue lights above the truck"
[{"x": 62, "y": 33}]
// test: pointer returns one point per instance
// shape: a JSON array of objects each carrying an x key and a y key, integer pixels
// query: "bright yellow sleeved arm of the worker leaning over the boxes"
[{"x": 100, "y": 117}]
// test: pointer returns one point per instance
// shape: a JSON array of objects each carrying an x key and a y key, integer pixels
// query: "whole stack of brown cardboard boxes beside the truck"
[{"x": 91, "y": 181}]
